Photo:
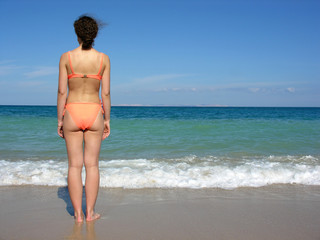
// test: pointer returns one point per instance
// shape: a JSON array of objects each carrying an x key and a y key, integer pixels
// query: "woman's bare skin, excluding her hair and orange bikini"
[{"x": 83, "y": 147}]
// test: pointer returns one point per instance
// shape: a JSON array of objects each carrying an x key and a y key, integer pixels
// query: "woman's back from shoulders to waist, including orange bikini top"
[{"x": 84, "y": 69}]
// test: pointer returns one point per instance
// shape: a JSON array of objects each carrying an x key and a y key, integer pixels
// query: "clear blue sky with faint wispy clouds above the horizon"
[{"x": 229, "y": 53}]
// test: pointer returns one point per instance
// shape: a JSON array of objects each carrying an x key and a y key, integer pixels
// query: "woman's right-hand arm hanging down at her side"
[{"x": 105, "y": 95}]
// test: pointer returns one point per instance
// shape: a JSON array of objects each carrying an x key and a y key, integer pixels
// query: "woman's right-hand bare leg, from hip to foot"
[{"x": 92, "y": 143}]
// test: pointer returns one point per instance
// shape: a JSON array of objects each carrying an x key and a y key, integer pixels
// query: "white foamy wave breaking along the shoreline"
[{"x": 188, "y": 172}]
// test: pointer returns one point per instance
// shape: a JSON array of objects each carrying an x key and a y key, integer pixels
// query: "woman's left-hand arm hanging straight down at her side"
[{"x": 62, "y": 92}]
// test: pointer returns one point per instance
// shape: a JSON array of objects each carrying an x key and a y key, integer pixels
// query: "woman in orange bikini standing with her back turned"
[{"x": 80, "y": 114}]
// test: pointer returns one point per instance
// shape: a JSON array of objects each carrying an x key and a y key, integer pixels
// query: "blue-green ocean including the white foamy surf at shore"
[{"x": 170, "y": 147}]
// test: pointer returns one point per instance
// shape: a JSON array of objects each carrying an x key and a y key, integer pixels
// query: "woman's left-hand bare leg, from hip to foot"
[{"x": 74, "y": 142}]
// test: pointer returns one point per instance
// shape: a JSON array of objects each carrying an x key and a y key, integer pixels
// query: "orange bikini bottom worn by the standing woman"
[{"x": 83, "y": 114}]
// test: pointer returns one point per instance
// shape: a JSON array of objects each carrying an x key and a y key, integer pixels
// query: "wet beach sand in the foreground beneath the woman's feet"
[{"x": 273, "y": 212}]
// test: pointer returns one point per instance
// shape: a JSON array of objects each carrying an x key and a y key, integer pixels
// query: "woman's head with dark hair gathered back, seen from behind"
[{"x": 86, "y": 29}]
